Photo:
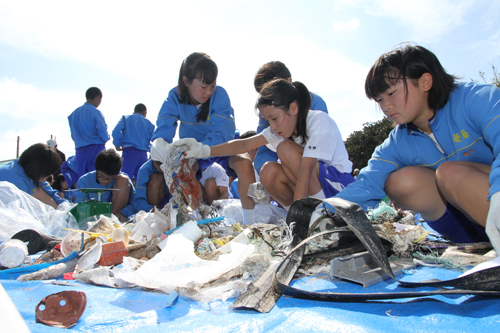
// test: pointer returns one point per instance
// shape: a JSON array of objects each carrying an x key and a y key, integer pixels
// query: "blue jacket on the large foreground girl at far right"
[{"x": 467, "y": 128}]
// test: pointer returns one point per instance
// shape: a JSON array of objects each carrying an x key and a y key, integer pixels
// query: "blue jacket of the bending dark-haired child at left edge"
[{"x": 13, "y": 173}]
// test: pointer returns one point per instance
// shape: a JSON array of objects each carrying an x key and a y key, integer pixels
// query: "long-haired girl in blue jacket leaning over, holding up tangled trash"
[{"x": 203, "y": 111}]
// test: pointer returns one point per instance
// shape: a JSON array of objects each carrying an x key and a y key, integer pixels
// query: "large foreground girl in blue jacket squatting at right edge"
[{"x": 441, "y": 160}]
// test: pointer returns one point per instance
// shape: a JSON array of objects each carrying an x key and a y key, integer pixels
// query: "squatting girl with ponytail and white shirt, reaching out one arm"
[{"x": 313, "y": 159}]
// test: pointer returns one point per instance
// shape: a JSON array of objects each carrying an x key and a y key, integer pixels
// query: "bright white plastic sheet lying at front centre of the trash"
[{"x": 177, "y": 268}]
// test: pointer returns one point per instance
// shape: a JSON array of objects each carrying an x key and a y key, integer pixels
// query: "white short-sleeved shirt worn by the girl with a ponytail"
[{"x": 324, "y": 143}]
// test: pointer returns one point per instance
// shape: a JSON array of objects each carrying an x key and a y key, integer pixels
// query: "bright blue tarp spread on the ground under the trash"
[{"x": 124, "y": 310}]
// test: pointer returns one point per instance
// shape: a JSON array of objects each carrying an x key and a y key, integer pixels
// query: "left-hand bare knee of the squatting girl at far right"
[{"x": 415, "y": 188}]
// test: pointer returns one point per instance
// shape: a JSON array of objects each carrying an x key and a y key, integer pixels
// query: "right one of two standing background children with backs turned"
[{"x": 133, "y": 135}]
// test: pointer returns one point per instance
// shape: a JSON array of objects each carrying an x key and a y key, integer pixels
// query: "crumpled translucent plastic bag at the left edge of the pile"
[{"x": 20, "y": 211}]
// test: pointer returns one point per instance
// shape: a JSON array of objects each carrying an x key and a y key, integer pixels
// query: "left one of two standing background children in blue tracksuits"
[{"x": 88, "y": 130}]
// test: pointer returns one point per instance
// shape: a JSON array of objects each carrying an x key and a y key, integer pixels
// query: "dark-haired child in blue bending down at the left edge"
[{"x": 30, "y": 173}]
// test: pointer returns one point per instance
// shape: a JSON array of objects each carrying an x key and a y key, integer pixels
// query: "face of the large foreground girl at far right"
[{"x": 404, "y": 109}]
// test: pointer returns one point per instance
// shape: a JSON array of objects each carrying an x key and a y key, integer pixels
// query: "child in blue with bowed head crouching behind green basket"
[{"x": 107, "y": 175}]
